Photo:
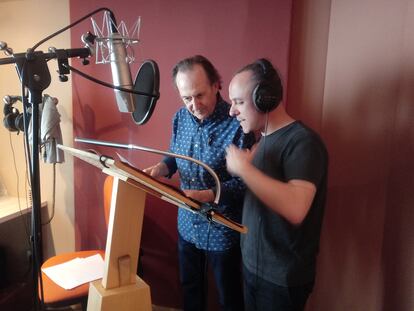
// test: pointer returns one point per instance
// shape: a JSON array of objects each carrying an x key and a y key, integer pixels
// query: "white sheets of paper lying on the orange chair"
[{"x": 76, "y": 272}]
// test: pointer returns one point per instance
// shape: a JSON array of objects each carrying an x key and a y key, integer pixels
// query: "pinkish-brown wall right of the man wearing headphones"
[{"x": 351, "y": 76}]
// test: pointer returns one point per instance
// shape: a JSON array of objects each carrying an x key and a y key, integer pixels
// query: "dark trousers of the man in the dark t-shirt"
[{"x": 261, "y": 295}]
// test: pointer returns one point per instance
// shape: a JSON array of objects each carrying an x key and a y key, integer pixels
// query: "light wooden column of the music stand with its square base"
[{"x": 121, "y": 288}]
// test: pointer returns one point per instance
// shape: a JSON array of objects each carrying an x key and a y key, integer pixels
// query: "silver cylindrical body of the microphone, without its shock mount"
[{"x": 121, "y": 74}]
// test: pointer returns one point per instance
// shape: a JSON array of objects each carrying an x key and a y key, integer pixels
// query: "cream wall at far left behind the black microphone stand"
[{"x": 22, "y": 24}]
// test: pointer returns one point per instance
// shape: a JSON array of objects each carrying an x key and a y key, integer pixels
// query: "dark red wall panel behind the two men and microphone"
[{"x": 231, "y": 34}]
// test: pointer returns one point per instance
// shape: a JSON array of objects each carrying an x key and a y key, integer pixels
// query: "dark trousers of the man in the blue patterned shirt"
[{"x": 193, "y": 276}]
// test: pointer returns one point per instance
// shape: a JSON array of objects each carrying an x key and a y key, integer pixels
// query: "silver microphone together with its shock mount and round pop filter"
[{"x": 138, "y": 98}]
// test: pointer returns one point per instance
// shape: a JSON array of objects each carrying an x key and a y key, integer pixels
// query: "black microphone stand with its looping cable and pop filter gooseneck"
[{"x": 35, "y": 77}]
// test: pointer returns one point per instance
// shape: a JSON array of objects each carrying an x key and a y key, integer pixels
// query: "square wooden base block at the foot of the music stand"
[{"x": 130, "y": 297}]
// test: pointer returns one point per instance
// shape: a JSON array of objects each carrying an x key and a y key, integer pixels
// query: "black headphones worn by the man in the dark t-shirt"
[{"x": 268, "y": 93}]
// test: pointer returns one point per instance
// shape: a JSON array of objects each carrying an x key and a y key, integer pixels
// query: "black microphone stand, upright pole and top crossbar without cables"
[{"x": 35, "y": 76}]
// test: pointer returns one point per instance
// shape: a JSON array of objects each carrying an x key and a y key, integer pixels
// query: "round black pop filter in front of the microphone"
[{"x": 147, "y": 81}]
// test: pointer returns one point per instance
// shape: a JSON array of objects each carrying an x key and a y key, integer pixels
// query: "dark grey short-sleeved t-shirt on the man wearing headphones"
[{"x": 274, "y": 249}]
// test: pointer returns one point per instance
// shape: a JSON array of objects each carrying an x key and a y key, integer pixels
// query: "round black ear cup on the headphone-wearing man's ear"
[{"x": 265, "y": 97}]
